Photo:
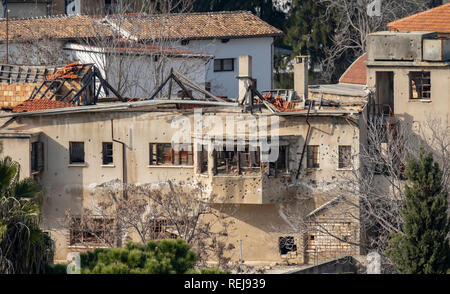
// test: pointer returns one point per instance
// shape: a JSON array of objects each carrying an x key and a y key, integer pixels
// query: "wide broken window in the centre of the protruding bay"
[{"x": 237, "y": 162}]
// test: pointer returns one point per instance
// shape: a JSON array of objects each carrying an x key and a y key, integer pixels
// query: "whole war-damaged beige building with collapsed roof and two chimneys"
[{"x": 71, "y": 148}]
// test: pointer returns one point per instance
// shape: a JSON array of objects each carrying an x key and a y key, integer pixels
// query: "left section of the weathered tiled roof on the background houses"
[{"x": 61, "y": 27}]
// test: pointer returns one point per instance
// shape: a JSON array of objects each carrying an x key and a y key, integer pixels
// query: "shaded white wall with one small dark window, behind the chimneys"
[{"x": 225, "y": 83}]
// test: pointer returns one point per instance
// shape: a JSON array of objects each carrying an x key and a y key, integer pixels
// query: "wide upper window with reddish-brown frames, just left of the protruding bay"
[{"x": 164, "y": 154}]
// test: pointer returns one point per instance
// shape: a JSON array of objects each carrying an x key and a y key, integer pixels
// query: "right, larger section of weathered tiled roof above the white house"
[{"x": 234, "y": 24}]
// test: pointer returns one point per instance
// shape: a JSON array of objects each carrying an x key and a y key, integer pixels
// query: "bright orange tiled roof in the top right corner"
[{"x": 433, "y": 20}]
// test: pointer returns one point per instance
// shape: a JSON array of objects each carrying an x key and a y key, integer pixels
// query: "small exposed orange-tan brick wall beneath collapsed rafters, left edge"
[{"x": 13, "y": 94}]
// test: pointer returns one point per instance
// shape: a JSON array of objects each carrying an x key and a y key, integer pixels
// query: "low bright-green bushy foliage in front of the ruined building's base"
[{"x": 163, "y": 257}]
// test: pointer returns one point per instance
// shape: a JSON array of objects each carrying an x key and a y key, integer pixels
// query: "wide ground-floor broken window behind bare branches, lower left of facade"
[{"x": 91, "y": 231}]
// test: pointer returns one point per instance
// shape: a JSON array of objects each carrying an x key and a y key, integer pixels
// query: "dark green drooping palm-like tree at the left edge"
[{"x": 24, "y": 248}]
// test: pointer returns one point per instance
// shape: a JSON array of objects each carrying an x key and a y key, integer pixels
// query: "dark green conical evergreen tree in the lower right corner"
[{"x": 423, "y": 248}]
